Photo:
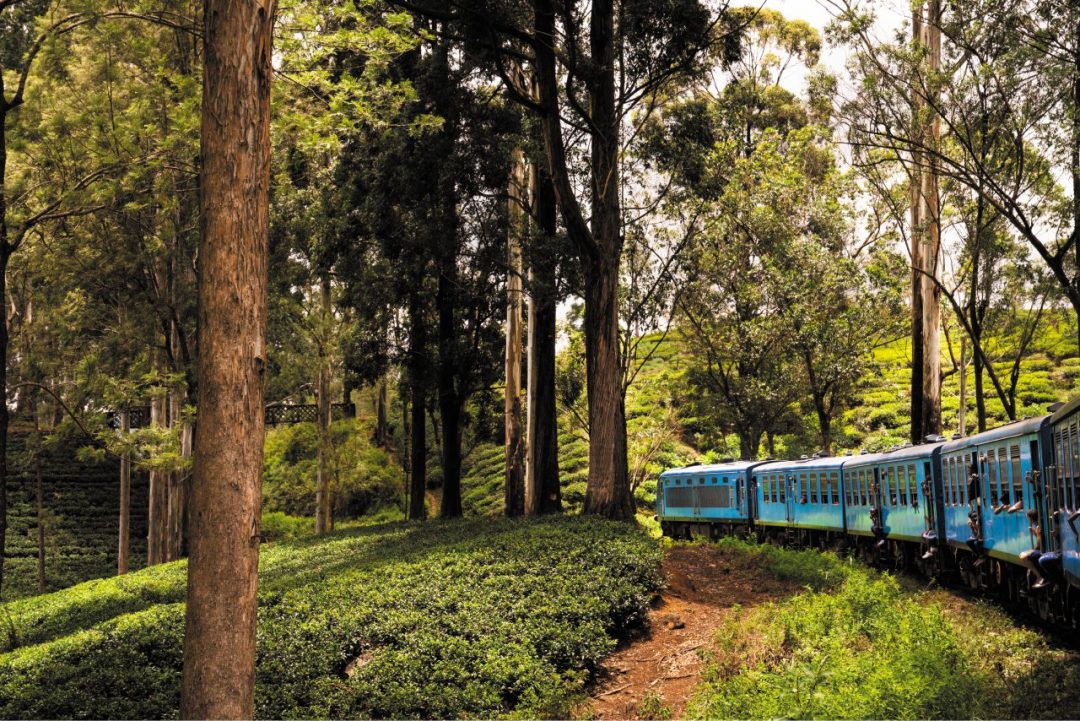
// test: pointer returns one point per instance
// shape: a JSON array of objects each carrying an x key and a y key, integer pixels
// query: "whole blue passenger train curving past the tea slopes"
[{"x": 1001, "y": 510}]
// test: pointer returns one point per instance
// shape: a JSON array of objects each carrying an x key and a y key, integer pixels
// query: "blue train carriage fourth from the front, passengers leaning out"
[{"x": 989, "y": 487}]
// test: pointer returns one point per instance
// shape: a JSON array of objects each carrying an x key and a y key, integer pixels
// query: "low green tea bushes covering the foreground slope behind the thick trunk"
[{"x": 440, "y": 620}]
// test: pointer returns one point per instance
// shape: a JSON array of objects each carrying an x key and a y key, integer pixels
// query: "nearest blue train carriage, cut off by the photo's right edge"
[{"x": 1063, "y": 494}]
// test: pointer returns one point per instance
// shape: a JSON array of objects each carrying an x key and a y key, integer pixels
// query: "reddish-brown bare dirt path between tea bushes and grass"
[{"x": 704, "y": 583}]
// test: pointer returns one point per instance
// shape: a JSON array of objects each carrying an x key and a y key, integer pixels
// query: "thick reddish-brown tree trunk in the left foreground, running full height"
[{"x": 223, "y": 572}]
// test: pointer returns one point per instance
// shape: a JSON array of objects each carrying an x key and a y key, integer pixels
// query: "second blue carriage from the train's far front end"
[{"x": 801, "y": 494}]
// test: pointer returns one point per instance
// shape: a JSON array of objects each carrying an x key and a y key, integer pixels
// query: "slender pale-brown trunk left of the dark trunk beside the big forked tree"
[{"x": 512, "y": 397}]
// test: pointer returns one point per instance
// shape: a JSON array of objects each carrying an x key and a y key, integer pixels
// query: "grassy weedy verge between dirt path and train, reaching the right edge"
[{"x": 859, "y": 644}]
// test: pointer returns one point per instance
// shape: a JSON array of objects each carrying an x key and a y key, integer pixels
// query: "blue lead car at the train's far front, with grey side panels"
[{"x": 706, "y": 494}]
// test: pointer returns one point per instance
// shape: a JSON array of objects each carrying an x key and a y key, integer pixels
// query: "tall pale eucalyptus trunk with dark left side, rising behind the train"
[{"x": 926, "y": 239}]
